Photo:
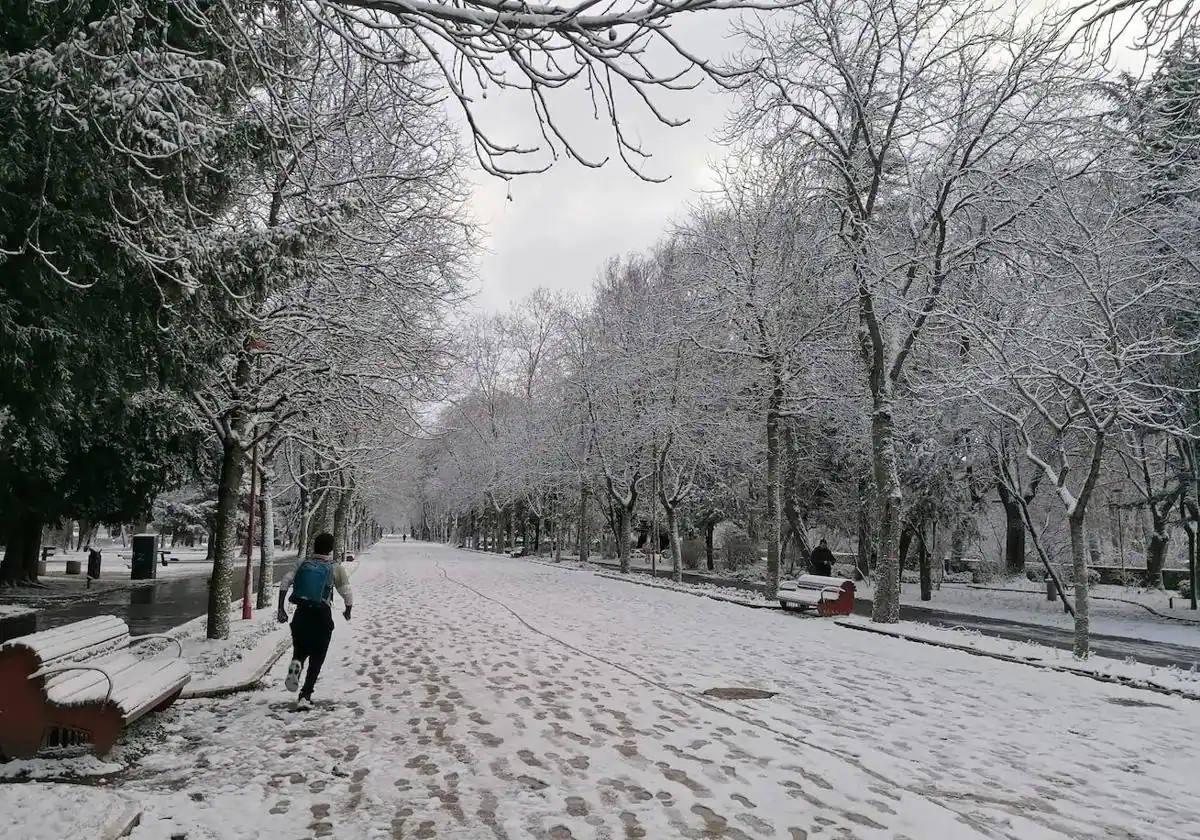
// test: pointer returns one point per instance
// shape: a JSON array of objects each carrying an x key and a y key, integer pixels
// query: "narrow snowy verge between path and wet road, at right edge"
[{"x": 1133, "y": 675}]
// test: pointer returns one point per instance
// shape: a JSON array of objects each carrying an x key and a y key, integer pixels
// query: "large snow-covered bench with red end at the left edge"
[{"x": 81, "y": 685}]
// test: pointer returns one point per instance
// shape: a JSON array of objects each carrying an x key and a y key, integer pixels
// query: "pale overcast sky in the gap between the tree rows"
[{"x": 562, "y": 226}]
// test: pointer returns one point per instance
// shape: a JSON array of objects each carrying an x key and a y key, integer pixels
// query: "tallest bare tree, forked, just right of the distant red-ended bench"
[{"x": 922, "y": 112}]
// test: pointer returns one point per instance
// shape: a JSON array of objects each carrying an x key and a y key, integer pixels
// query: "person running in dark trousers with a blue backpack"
[{"x": 313, "y": 586}]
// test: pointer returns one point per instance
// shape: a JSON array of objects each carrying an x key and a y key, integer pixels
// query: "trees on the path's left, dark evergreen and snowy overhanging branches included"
[{"x": 232, "y": 235}]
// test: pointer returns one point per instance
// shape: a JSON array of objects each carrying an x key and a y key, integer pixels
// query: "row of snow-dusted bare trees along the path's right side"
[{"x": 951, "y": 257}]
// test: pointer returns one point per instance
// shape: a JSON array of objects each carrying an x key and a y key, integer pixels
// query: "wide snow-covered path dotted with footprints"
[{"x": 489, "y": 698}]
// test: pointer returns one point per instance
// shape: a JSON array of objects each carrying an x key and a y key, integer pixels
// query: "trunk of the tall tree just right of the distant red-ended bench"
[{"x": 886, "y": 608}]
